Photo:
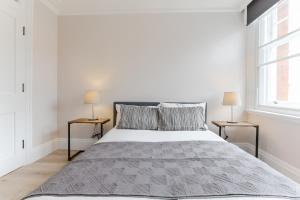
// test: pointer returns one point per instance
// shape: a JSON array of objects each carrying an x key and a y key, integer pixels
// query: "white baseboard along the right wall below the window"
[{"x": 276, "y": 163}]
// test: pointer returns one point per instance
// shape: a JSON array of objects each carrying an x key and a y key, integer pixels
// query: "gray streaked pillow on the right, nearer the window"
[{"x": 181, "y": 119}]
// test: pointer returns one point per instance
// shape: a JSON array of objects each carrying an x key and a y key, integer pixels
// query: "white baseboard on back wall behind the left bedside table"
[{"x": 76, "y": 144}]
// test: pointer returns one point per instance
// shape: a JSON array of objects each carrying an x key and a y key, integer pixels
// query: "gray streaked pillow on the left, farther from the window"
[{"x": 138, "y": 117}]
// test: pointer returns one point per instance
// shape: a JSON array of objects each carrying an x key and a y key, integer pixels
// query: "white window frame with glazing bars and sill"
[{"x": 268, "y": 109}]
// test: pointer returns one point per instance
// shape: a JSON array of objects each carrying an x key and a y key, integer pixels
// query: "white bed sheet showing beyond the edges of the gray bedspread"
[{"x": 126, "y": 135}]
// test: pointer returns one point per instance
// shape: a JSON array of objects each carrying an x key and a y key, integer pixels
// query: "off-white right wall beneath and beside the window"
[{"x": 279, "y": 135}]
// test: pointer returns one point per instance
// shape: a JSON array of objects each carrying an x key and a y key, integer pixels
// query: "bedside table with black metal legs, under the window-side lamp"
[{"x": 223, "y": 124}]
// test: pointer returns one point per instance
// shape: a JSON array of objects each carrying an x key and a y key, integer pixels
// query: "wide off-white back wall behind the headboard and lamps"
[{"x": 148, "y": 57}]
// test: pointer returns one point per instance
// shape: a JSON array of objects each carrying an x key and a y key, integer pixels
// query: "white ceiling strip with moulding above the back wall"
[{"x": 85, "y": 7}]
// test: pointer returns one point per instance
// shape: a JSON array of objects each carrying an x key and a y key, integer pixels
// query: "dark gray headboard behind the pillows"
[{"x": 145, "y": 104}]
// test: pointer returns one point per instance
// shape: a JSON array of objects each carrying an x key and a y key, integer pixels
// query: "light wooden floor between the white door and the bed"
[{"x": 22, "y": 181}]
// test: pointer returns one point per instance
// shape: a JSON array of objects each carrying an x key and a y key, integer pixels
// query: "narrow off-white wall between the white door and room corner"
[{"x": 44, "y": 75}]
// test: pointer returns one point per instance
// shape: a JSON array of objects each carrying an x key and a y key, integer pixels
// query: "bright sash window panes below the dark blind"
[{"x": 279, "y": 56}]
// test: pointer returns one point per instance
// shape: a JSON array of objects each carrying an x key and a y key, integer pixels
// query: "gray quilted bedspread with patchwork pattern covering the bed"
[{"x": 168, "y": 170}]
